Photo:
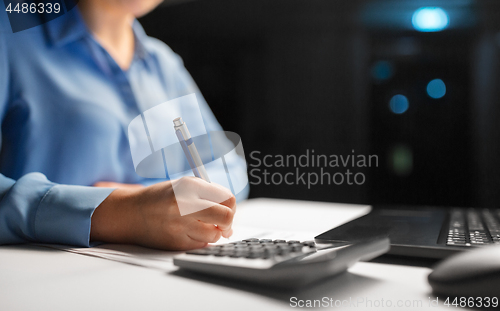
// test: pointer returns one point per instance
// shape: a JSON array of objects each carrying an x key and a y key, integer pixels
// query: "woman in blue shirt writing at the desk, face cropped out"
[{"x": 69, "y": 89}]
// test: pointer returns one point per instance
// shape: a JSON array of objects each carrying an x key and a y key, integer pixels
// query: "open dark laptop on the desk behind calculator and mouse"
[{"x": 423, "y": 231}]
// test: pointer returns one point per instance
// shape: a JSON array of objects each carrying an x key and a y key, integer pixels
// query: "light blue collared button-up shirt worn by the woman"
[{"x": 65, "y": 106}]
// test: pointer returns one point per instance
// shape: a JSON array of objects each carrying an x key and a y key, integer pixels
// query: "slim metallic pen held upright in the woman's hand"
[{"x": 190, "y": 150}]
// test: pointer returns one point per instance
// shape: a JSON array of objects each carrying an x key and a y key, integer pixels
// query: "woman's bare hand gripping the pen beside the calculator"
[{"x": 150, "y": 216}]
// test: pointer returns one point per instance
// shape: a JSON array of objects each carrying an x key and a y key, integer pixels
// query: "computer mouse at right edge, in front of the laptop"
[{"x": 474, "y": 273}]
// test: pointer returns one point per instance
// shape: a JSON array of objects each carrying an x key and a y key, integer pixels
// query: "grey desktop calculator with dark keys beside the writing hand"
[{"x": 278, "y": 262}]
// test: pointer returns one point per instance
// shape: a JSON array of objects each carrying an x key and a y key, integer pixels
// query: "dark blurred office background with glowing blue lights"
[{"x": 415, "y": 82}]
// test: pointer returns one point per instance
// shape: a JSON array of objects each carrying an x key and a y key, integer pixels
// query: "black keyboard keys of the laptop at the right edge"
[{"x": 472, "y": 227}]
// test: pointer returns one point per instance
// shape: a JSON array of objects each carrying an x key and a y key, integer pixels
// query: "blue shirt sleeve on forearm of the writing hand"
[{"x": 33, "y": 209}]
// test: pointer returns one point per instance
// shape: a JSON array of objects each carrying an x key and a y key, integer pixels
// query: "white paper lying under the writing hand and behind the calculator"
[{"x": 257, "y": 218}]
